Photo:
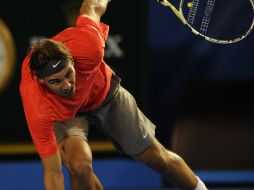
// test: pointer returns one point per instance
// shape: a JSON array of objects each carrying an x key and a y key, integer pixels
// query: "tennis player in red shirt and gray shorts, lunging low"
[{"x": 66, "y": 86}]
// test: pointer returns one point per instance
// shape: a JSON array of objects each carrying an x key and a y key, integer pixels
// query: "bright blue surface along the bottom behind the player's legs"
[{"x": 114, "y": 174}]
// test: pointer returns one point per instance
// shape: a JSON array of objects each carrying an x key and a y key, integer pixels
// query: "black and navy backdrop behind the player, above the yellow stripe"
[{"x": 172, "y": 73}]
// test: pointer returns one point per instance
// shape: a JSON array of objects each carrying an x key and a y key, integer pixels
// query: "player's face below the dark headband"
[{"x": 63, "y": 82}]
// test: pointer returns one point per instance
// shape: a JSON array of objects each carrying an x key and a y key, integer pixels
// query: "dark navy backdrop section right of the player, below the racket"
[{"x": 192, "y": 78}]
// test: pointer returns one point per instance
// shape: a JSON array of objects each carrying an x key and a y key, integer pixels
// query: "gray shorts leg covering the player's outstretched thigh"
[{"x": 129, "y": 129}]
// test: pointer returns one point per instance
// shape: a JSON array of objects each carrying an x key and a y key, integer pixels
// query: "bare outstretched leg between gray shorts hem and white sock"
[{"x": 169, "y": 165}]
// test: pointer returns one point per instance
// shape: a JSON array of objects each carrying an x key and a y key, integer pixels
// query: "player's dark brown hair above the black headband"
[{"x": 44, "y": 51}]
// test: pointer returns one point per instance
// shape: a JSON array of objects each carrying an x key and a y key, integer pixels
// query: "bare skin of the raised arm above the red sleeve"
[{"x": 94, "y": 8}]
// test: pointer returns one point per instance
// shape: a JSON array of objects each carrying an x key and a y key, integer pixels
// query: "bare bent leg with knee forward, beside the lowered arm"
[{"x": 77, "y": 157}]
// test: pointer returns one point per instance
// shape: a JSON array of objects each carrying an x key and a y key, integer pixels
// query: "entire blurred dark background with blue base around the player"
[{"x": 198, "y": 94}]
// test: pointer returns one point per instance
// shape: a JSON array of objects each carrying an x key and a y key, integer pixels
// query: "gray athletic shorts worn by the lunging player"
[{"x": 118, "y": 117}]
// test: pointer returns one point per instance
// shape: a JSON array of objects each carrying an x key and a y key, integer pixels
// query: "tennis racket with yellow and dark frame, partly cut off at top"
[{"x": 218, "y": 21}]
